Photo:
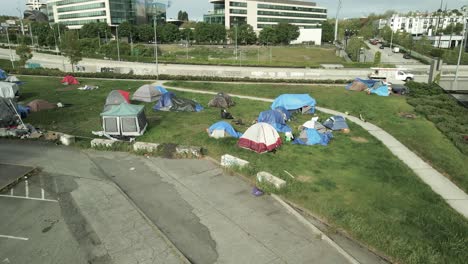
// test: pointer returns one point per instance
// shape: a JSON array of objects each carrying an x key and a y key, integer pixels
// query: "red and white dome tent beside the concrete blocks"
[{"x": 260, "y": 137}]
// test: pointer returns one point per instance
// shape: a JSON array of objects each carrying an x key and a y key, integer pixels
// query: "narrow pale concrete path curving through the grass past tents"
[{"x": 453, "y": 195}]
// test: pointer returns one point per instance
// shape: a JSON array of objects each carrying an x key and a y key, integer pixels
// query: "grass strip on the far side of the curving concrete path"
[{"x": 419, "y": 134}]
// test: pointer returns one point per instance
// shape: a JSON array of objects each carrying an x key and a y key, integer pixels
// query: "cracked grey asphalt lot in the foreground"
[{"x": 209, "y": 216}]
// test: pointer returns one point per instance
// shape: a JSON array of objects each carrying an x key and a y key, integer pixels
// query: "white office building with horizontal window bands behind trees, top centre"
[{"x": 266, "y": 13}]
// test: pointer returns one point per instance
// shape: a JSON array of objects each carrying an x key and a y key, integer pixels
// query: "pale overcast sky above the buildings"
[{"x": 351, "y": 8}]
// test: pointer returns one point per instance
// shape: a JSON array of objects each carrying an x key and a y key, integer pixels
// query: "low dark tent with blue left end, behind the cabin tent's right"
[{"x": 169, "y": 102}]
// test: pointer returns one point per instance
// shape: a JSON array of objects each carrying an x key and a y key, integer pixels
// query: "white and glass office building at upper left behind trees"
[{"x": 76, "y": 13}]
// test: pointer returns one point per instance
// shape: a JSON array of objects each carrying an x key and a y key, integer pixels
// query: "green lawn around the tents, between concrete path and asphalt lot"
[{"x": 358, "y": 186}]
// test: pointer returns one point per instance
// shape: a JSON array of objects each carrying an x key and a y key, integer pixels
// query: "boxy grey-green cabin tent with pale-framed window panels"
[{"x": 125, "y": 120}]
